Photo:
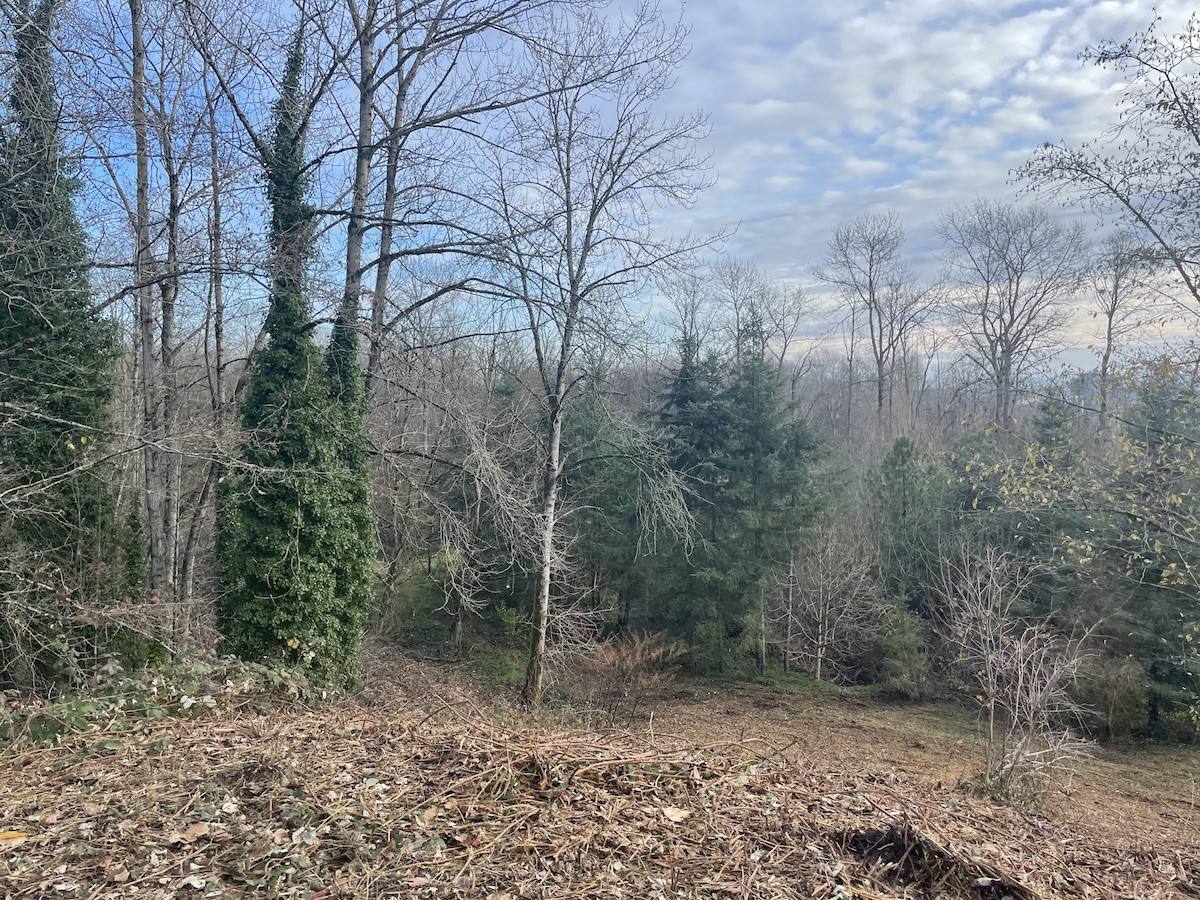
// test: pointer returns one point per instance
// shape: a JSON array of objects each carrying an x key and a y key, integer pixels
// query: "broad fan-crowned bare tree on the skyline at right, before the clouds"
[{"x": 1012, "y": 272}]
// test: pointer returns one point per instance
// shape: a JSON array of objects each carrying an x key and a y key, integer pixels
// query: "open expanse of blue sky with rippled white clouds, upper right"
[{"x": 825, "y": 111}]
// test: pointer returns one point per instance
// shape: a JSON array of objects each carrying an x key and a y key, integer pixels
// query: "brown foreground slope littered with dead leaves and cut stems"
[{"x": 416, "y": 790}]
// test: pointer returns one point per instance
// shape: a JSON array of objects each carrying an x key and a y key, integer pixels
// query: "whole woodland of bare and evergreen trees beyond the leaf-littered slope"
[{"x": 355, "y": 321}]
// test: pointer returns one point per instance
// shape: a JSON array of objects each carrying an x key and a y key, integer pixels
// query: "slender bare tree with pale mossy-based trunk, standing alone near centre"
[{"x": 577, "y": 235}]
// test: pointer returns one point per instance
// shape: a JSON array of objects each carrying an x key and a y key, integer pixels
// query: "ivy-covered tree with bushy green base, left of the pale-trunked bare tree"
[{"x": 296, "y": 533}]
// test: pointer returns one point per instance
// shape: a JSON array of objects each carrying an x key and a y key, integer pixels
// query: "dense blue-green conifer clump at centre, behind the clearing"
[{"x": 746, "y": 458}]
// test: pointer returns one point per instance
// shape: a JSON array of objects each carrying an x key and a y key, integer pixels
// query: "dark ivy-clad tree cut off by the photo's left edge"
[{"x": 56, "y": 376}]
